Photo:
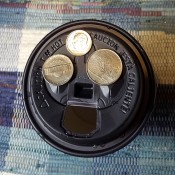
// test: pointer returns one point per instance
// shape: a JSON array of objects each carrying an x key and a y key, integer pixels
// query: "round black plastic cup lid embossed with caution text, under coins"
[{"x": 82, "y": 118}]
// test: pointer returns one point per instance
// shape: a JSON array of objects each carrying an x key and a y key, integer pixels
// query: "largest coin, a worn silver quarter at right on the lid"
[{"x": 104, "y": 67}]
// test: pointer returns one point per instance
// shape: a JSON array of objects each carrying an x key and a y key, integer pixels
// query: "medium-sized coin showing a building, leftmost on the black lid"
[{"x": 57, "y": 69}]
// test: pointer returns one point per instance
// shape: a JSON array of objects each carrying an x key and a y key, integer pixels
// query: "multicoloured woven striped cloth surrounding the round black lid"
[{"x": 23, "y": 23}]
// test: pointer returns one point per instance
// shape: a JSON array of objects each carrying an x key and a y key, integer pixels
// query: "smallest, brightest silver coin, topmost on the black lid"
[{"x": 78, "y": 42}]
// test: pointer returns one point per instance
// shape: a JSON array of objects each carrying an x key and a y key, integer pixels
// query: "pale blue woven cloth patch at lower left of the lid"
[{"x": 27, "y": 154}]
